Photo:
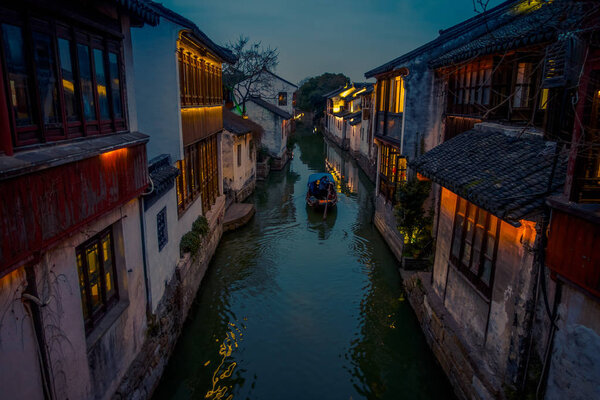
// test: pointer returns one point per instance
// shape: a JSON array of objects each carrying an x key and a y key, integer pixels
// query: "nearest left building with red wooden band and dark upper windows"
[{"x": 72, "y": 169}]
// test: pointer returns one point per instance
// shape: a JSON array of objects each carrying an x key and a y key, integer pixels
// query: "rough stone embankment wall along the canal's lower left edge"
[{"x": 165, "y": 325}]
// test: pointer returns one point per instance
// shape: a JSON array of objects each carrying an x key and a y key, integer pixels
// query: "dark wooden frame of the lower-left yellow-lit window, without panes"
[{"x": 94, "y": 318}]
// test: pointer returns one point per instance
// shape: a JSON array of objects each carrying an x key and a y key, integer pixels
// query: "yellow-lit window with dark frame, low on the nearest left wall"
[{"x": 97, "y": 277}]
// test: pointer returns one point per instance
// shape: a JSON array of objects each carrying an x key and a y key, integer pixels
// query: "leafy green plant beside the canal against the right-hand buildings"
[{"x": 415, "y": 224}]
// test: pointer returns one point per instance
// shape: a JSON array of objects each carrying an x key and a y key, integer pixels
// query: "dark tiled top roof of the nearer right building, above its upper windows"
[{"x": 537, "y": 26}]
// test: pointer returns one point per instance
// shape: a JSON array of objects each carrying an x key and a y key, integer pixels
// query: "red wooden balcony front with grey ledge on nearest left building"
[{"x": 40, "y": 207}]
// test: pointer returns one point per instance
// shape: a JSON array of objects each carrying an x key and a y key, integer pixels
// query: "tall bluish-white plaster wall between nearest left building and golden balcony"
[{"x": 157, "y": 87}]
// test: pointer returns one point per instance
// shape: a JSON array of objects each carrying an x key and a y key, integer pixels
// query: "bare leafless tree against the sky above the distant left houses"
[{"x": 249, "y": 76}]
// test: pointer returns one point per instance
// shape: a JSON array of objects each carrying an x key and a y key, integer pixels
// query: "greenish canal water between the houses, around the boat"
[{"x": 297, "y": 307}]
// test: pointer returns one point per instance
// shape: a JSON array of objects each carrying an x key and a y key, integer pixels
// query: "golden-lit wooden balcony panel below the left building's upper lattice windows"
[{"x": 200, "y": 122}]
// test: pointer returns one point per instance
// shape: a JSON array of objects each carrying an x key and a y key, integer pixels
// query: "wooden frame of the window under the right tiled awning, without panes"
[{"x": 471, "y": 272}]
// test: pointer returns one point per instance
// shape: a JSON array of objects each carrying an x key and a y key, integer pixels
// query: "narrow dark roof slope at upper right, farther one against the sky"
[{"x": 488, "y": 18}]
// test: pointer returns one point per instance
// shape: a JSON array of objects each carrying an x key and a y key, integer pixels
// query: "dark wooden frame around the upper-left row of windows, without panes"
[{"x": 55, "y": 29}]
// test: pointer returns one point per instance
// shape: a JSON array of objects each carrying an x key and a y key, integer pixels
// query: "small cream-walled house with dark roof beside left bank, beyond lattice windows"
[{"x": 240, "y": 139}]
